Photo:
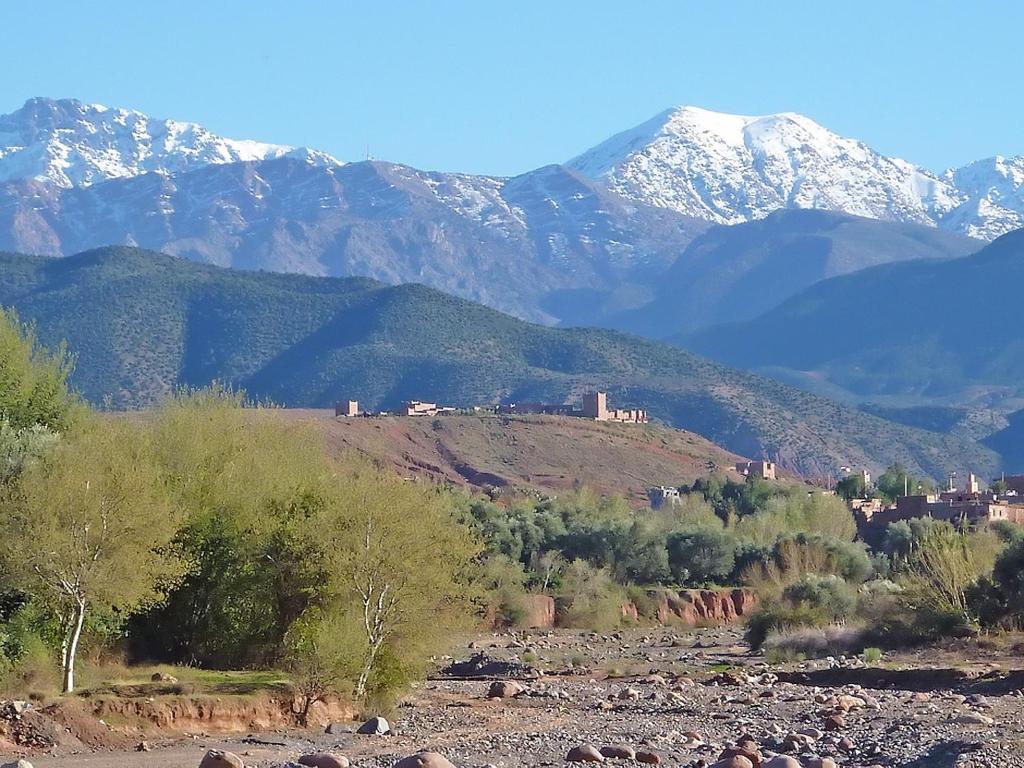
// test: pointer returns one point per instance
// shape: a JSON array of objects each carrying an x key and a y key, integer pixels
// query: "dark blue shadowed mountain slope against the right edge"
[{"x": 926, "y": 329}]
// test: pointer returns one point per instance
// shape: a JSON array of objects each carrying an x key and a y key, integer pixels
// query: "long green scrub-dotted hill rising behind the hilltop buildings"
[{"x": 142, "y": 324}]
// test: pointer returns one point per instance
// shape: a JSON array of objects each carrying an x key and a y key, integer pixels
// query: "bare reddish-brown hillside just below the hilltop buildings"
[{"x": 528, "y": 453}]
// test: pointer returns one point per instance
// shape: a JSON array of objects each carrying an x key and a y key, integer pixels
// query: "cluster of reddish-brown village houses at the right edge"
[{"x": 970, "y": 504}]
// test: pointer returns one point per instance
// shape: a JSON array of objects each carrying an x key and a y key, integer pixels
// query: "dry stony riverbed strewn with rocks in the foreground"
[{"x": 684, "y": 696}]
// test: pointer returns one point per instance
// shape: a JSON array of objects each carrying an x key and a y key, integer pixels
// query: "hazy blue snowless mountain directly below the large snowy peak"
[{"x": 737, "y": 273}]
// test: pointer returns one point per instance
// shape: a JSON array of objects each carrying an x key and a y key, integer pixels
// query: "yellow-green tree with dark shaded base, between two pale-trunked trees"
[{"x": 247, "y": 482}]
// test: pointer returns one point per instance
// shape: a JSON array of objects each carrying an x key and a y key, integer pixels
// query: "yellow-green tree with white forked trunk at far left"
[{"x": 88, "y": 529}]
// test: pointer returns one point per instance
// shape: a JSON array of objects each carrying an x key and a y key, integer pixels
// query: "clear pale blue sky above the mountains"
[{"x": 504, "y": 88}]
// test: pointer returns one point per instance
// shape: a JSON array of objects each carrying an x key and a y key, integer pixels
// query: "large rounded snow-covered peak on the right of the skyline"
[{"x": 732, "y": 168}]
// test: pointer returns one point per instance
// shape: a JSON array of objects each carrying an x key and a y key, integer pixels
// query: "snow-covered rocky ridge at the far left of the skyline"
[{"x": 71, "y": 144}]
